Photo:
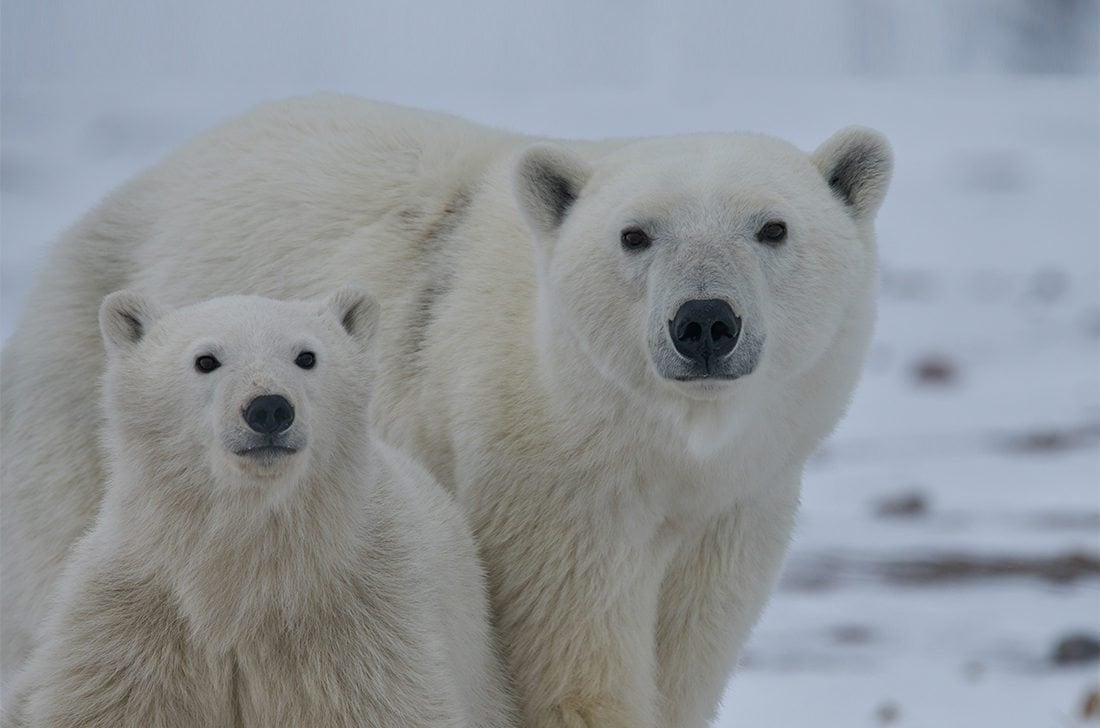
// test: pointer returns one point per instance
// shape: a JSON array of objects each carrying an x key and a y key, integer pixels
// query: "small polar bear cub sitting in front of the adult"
[{"x": 260, "y": 559}]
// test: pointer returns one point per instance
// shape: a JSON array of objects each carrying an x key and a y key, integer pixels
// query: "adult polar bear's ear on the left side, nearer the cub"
[{"x": 548, "y": 180}]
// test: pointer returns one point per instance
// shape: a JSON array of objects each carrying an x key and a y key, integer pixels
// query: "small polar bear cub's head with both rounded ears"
[{"x": 241, "y": 391}]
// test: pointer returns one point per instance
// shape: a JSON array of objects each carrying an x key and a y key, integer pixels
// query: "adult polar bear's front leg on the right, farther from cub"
[{"x": 713, "y": 594}]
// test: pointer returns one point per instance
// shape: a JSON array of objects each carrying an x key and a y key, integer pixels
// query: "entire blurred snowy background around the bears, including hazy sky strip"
[{"x": 950, "y": 542}]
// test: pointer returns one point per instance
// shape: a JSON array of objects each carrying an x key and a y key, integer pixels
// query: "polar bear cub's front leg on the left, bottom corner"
[{"x": 116, "y": 655}]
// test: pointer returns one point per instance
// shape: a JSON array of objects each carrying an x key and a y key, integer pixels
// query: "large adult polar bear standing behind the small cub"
[{"x": 619, "y": 355}]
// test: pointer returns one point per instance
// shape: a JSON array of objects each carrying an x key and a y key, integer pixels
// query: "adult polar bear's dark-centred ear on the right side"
[{"x": 857, "y": 164}]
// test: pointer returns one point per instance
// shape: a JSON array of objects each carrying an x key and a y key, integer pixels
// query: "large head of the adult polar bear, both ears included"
[{"x": 694, "y": 269}]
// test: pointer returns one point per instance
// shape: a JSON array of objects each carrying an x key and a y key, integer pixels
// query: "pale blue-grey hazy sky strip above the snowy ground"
[{"x": 381, "y": 48}]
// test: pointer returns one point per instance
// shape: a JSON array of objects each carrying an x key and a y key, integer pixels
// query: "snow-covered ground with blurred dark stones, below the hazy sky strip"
[{"x": 951, "y": 530}]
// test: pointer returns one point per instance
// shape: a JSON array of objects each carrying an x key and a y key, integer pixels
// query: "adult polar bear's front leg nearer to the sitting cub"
[{"x": 577, "y": 614}]
